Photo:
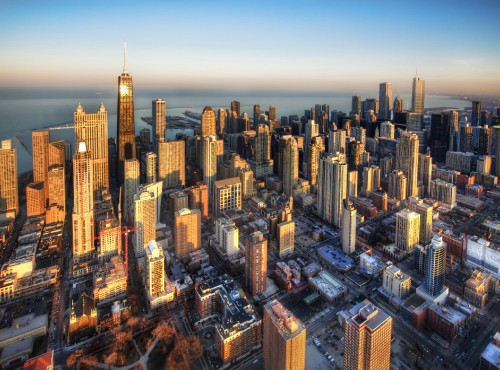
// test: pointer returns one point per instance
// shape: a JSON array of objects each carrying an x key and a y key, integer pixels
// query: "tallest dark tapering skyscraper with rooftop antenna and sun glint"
[{"x": 125, "y": 121}]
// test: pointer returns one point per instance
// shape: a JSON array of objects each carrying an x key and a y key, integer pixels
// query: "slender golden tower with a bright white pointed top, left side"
[{"x": 83, "y": 207}]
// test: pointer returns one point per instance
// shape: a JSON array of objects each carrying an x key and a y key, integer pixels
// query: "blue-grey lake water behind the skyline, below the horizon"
[{"x": 22, "y": 111}]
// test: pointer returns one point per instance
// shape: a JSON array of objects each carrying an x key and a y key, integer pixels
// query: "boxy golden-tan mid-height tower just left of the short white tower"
[{"x": 187, "y": 231}]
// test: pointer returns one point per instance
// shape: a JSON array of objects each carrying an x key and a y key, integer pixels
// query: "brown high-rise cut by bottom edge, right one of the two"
[{"x": 367, "y": 338}]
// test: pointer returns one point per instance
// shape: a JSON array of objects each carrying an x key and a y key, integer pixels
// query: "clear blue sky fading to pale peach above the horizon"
[{"x": 253, "y": 45}]
